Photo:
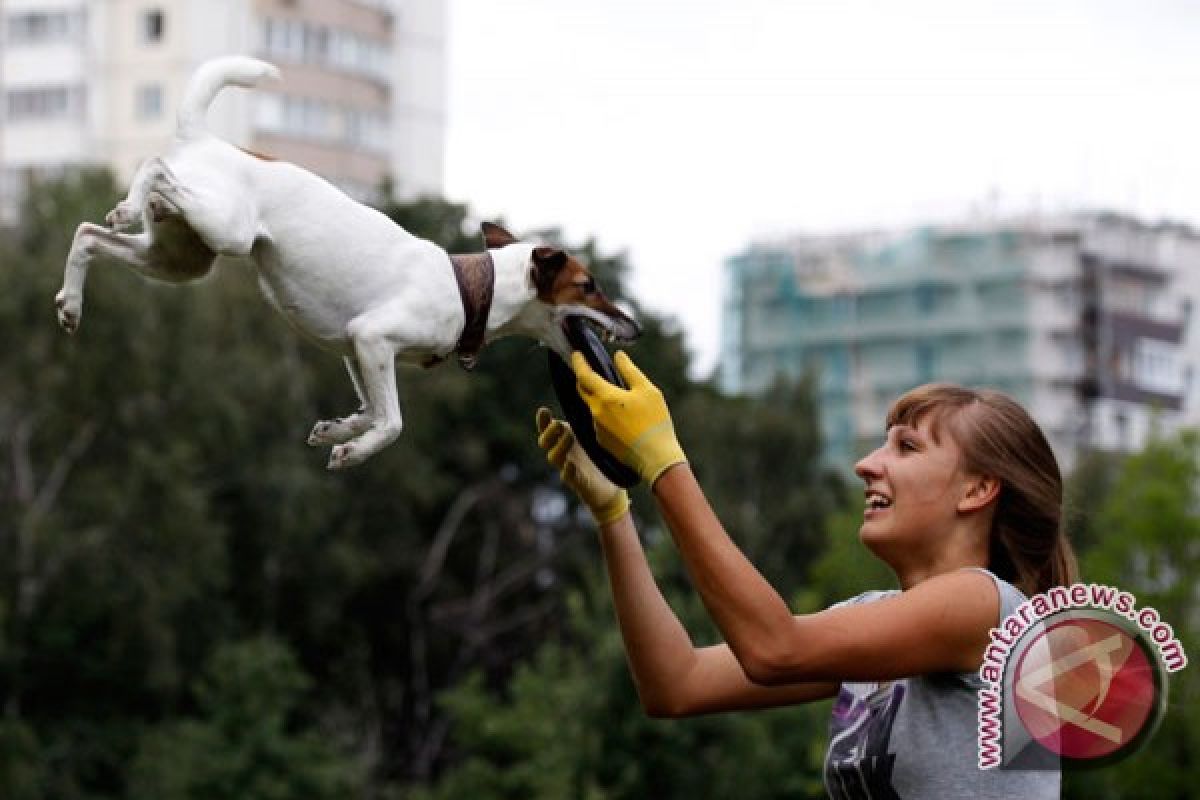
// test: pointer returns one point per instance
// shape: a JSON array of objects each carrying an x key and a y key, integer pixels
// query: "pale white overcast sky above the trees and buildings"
[{"x": 679, "y": 131}]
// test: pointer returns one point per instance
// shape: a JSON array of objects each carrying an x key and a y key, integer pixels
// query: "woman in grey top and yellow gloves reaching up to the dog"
[{"x": 963, "y": 502}]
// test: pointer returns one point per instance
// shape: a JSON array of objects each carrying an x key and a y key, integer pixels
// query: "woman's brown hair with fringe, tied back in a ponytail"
[{"x": 1029, "y": 546}]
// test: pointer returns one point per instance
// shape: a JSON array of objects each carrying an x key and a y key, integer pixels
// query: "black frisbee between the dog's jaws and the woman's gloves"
[{"x": 577, "y": 412}]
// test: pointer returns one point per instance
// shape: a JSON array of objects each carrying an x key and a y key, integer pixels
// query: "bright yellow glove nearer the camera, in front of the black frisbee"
[{"x": 632, "y": 424}]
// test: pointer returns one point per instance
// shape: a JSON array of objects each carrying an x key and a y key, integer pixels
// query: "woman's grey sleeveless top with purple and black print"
[{"x": 919, "y": 737}]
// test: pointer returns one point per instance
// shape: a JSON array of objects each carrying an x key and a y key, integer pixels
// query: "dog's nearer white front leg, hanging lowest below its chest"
[{"x": 376, "y": 357}]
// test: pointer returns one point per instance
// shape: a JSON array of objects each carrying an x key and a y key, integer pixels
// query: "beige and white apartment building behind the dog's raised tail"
[{"x": 98, "y": 82}]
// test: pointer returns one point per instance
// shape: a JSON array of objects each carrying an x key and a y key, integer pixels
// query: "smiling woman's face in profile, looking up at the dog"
[{"x": 913, "y": 490}]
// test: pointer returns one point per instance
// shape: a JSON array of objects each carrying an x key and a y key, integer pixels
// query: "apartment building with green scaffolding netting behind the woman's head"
[{"x": 1088, "y": 321}]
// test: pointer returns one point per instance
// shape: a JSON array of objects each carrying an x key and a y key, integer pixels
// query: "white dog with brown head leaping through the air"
[{"x": 341, "y": 273}]
